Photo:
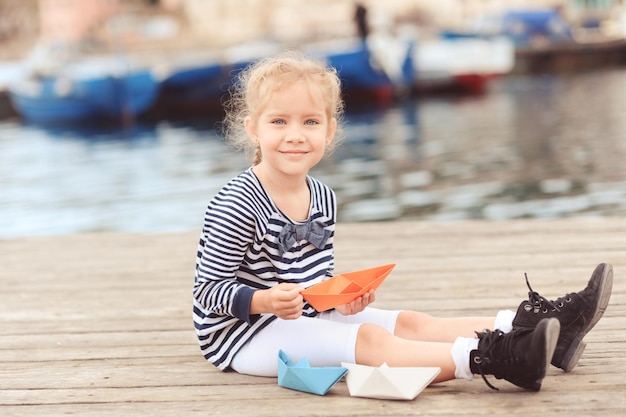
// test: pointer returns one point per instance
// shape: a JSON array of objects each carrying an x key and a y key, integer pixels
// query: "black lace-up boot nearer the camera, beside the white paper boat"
[{"x": 520, "y": 357}]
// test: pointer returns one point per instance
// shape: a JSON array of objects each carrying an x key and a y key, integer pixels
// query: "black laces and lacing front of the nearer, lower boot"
[{"x": 494, "y": 344}]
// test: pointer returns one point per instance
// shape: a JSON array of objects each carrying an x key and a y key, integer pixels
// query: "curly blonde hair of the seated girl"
[{"x": 255, "y": 84}]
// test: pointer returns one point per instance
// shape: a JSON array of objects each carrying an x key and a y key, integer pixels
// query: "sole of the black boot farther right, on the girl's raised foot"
[{"x": 574, "y": 352}]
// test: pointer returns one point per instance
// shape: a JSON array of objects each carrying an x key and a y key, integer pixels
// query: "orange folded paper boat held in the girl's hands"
[{"x": 344, "y": 288}]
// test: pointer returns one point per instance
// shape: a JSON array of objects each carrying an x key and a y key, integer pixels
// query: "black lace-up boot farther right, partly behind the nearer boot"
[{"x": 577, "y": 313}]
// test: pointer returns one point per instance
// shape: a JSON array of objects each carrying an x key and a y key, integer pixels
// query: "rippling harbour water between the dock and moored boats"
[{"x": 533, "y": 146}]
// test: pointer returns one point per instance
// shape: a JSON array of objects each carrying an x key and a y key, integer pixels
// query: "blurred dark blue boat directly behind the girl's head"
[{"x": 197, "y": 89}]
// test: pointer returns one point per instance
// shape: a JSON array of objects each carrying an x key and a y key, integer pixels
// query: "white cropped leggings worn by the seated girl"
[{"x": 326, "y": 340}]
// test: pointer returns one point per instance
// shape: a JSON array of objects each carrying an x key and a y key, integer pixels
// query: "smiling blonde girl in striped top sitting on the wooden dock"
[{"x": 268, "y": 234}]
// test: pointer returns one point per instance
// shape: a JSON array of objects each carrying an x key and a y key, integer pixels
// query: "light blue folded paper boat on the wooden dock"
[{"x": 302, "y": 377}]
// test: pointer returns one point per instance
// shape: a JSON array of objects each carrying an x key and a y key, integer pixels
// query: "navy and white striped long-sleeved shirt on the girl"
[{"x": 238, "y": 253}]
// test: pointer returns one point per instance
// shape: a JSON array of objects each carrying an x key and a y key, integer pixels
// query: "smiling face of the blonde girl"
[{"x": 292, "y": 130}]
